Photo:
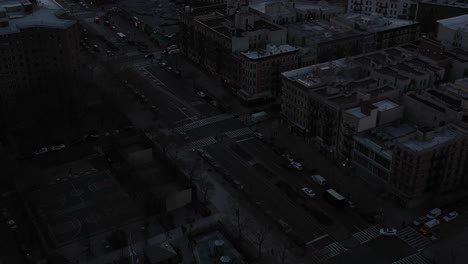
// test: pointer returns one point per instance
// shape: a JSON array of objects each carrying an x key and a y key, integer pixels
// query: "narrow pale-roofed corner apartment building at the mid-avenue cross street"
[{"x": 260, "y": 71}]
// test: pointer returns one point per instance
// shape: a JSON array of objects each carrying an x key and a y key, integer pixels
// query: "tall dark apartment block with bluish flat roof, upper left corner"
[{"x": 39, "y": 70}]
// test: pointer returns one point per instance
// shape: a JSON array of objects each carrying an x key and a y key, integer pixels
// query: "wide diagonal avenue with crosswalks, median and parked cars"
[{"x": 258, "y": 172}]
